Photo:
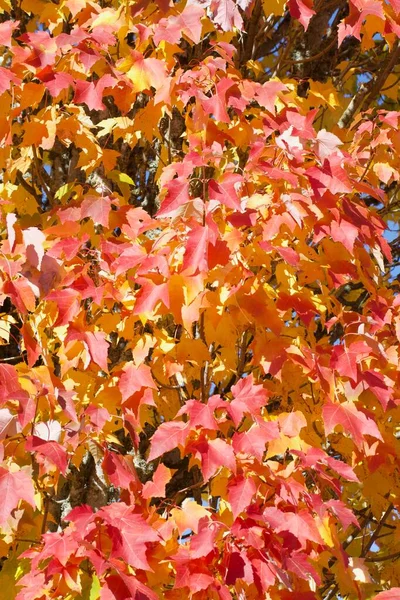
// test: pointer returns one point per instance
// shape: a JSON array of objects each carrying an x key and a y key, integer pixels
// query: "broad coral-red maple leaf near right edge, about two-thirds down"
[{"x": 353, "y": 421}]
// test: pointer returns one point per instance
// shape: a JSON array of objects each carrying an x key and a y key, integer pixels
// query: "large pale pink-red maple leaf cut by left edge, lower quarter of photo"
[{"x": 14, "y": 486}]
